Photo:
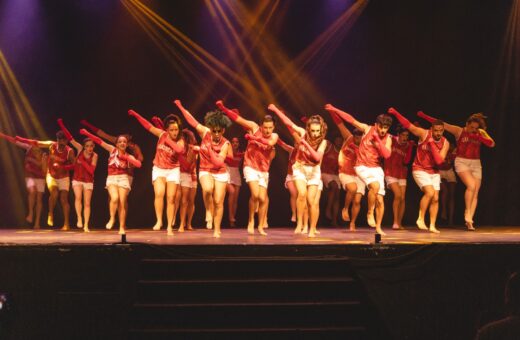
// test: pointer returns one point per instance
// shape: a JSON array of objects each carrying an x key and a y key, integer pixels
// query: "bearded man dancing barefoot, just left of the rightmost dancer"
[{"x": 431, "y": 152}]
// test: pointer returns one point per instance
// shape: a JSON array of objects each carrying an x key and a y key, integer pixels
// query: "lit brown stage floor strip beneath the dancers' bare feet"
[{"x": 276, "y": 236}]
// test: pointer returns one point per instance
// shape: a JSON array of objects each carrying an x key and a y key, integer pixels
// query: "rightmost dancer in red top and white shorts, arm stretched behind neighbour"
[{"x": 467, "y": 163}]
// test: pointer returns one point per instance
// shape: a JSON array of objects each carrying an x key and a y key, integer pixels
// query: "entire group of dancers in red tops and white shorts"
[{"x": 365, "y": 160}]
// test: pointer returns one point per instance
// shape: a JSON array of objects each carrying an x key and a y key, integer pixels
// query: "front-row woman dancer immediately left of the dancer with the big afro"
[{"x": 166, "y": 171}]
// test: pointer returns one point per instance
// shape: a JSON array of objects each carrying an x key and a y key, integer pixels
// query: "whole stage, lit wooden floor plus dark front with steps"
[{"x": 70, "y": 284}]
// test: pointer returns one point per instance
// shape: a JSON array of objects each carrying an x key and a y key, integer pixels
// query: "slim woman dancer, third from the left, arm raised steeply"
[{"x": 83, "y": 178}]
